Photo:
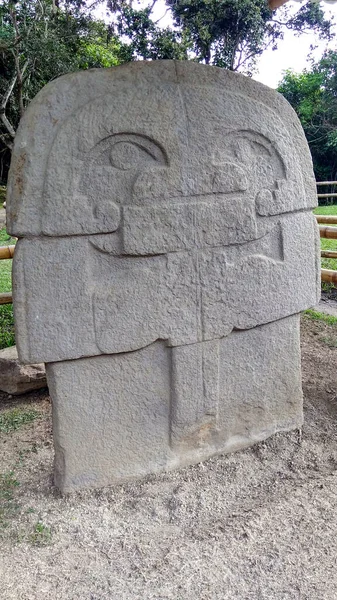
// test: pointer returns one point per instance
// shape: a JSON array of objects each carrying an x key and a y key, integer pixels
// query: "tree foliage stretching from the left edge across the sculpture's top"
[{"x": 42, "y": 39}]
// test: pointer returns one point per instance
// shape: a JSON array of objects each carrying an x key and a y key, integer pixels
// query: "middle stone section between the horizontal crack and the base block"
[{"x": 104, "y": 304}]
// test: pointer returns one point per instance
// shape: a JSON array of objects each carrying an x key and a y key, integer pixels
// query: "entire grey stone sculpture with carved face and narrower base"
[{"x": 167, "y": 246}]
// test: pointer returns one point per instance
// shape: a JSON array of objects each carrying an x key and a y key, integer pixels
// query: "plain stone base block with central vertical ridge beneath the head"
[{"x": 124, "y": 416}]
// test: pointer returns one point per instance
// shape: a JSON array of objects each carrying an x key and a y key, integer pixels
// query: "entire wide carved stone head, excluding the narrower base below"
[{"x": 167, "y": 198}]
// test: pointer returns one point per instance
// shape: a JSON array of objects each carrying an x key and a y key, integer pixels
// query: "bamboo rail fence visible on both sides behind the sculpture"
[{"x": 327, "y": 275}]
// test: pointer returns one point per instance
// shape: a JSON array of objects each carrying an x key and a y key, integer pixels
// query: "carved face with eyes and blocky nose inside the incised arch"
[{"x": 182, "y": 161}]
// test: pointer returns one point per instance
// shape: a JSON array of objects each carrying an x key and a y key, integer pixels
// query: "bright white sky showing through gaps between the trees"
[{"x": 292, "y": 51}]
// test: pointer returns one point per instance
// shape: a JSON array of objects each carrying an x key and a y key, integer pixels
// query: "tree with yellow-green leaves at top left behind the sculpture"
[{"x": 40, "y": 40}]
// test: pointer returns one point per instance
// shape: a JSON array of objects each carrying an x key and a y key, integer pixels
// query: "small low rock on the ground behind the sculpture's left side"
[{"x": 16, "y": 378}]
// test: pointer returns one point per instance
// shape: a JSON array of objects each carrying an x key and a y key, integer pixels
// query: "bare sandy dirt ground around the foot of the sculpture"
[{"x": 260, "y": 524}]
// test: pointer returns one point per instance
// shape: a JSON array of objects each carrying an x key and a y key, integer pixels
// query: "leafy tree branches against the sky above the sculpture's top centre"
[{"x": 225, "y": 33}]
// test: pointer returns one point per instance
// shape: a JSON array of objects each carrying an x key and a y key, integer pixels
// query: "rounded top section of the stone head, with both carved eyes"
[{"x": 185, "y": 124}]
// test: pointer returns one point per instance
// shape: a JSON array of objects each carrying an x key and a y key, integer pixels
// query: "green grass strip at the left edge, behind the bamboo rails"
[{"x": 7, "y": 336}]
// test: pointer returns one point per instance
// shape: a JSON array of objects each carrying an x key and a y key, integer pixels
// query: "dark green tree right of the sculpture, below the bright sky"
[{"x": 313, "y": 95}]
